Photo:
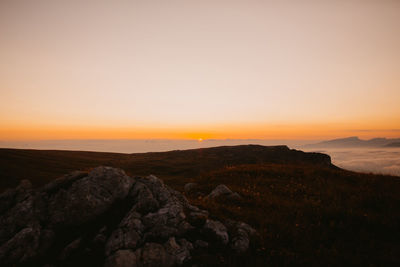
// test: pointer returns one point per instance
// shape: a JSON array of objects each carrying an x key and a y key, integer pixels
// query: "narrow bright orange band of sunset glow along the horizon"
[{"x": 245, "y": 131}]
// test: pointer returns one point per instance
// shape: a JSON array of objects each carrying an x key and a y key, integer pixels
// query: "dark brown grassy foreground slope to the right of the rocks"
[{"x": 309, "y": 215}]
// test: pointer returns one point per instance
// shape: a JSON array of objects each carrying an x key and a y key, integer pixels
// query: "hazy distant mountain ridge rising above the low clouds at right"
[{"x": 354, "y": 141}]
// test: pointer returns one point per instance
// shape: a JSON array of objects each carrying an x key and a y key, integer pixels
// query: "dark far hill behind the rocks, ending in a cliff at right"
[{"x": 41, "y": 166}]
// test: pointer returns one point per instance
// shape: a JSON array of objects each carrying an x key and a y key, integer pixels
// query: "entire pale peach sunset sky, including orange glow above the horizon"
[{"x": 199, "y": 69}]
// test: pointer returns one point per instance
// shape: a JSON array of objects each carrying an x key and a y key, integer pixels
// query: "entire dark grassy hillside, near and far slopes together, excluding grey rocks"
[{"x": 307, "y": 211}]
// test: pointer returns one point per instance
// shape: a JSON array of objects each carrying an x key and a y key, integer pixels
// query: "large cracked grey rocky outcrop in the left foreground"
[{"x": 106, "y": 217}]
